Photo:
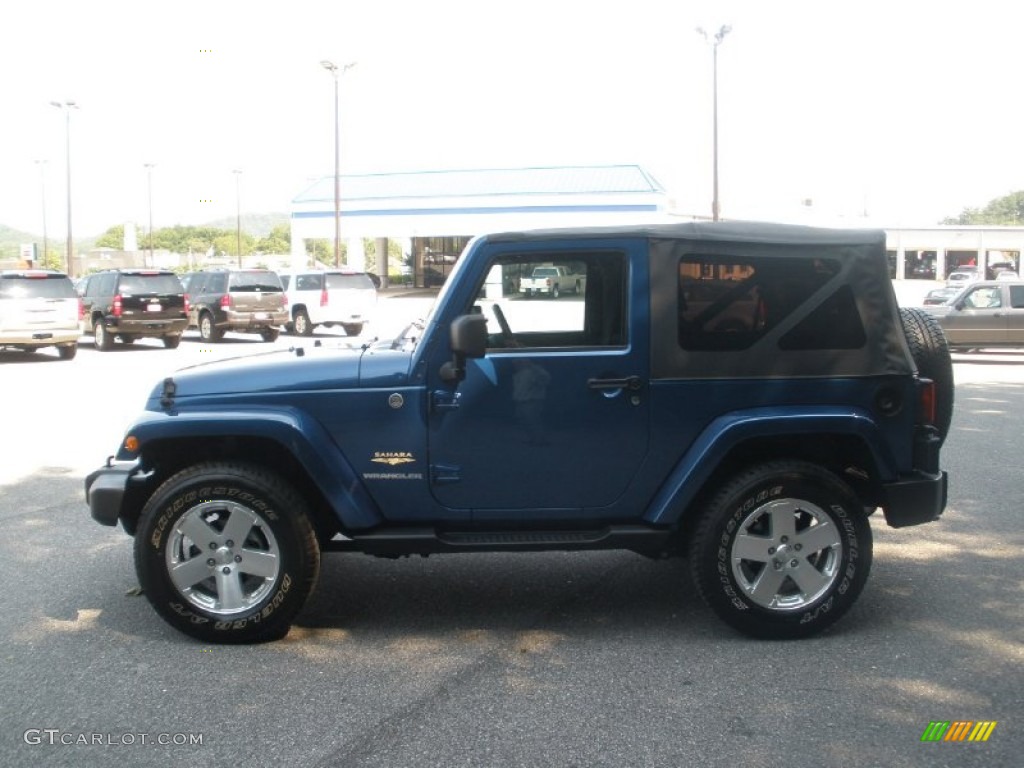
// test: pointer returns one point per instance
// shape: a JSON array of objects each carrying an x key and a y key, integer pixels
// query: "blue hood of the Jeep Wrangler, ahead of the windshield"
[{"x": 298, "y": 369}]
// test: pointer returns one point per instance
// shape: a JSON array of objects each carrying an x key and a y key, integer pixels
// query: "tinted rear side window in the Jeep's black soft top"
[{"x": 729, "y": 304}]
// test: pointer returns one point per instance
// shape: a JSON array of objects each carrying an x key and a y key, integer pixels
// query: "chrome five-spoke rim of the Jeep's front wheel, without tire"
[{"x": 223, "y": 559}]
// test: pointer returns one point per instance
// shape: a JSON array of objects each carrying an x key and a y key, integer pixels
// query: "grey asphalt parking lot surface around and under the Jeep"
[{"x": 537, "y": 660}]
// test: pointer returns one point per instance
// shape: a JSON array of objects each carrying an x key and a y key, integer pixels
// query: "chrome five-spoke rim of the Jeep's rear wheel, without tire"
[{"x": 786, "y": 554}]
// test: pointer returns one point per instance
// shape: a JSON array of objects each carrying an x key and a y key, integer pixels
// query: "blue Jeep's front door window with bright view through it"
[{"x": 556, "y": 301}]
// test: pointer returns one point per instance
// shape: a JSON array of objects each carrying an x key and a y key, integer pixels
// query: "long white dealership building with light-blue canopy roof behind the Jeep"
[{"x": 437, "y": 212}]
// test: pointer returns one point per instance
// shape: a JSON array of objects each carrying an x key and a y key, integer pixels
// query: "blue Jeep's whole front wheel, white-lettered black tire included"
[{"x": 226, "y": 553}]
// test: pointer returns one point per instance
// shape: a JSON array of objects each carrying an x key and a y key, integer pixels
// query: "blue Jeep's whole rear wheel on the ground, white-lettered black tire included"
[{"x": 752, "y": 557}]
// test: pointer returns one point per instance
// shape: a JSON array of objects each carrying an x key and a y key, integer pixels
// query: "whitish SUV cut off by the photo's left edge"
[{"x": 39, "y": 309}]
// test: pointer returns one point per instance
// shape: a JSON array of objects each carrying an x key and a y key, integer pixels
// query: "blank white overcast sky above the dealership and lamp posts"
[{"x": 910, "y": 111}]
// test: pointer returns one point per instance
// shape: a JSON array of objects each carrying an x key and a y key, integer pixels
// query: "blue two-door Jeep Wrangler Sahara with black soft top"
[{"x": 745, "y": 396}]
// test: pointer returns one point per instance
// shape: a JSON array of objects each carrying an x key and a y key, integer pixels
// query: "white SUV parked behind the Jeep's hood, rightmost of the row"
[{"x": 329, "y": 297}]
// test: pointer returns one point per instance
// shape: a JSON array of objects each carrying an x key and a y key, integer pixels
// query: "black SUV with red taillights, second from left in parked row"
[{"x": 131, "y": 305}]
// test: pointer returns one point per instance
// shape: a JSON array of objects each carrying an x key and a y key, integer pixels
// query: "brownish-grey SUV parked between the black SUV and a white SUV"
[{"x": 245, "y": 301}]
